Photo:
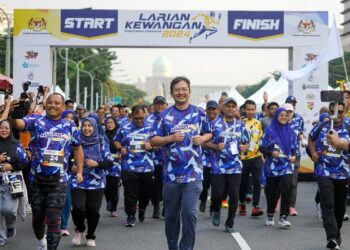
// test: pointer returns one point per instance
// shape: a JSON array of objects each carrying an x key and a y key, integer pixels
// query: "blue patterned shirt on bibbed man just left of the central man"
[{"x": 133, "y": 139}]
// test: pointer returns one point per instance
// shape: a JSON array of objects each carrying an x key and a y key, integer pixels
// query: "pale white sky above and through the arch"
[{"x": 201, "y": 66}]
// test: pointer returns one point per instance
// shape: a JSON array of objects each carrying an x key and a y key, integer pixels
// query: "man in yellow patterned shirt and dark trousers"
[{"x": 252, "y": 162}]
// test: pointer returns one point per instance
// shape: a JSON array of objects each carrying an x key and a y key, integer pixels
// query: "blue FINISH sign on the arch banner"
[{"x": 255, "y": 25}]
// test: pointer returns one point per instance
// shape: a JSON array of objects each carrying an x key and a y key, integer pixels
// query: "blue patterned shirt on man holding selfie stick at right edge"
[{"x": 332, "y": 163}]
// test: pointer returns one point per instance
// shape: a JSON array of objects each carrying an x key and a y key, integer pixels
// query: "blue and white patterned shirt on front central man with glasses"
[{"x": 182, "y": 160}]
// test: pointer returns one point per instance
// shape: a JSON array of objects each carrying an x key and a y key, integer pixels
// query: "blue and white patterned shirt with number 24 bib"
[{"x": 50, "y": 144}]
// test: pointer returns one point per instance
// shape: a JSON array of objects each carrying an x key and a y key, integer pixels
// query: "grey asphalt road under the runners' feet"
[{"x": 306, "y": 233}]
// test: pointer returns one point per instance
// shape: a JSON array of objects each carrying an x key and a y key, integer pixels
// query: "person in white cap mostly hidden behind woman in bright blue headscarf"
[{"x": 297, "y": 124}]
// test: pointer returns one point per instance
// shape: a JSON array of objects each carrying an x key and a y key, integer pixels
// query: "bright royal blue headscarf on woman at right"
[{"x": 283, "y": 135}]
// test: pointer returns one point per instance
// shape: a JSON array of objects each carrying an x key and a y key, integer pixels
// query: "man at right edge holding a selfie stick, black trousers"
[{"x": 332, "y": 172}]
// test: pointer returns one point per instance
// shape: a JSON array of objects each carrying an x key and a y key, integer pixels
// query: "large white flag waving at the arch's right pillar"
[{"x": 331, "y": 50}]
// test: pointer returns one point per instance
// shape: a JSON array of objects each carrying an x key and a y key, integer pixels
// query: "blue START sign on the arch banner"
[{"x": 89, "y": 23}]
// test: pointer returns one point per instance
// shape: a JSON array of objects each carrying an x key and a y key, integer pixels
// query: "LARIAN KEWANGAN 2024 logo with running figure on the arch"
[{"x": 185, "y": 25}]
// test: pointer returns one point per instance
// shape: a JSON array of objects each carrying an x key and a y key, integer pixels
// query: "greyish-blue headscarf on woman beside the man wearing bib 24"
[{"x": 91, "y": 144}]
